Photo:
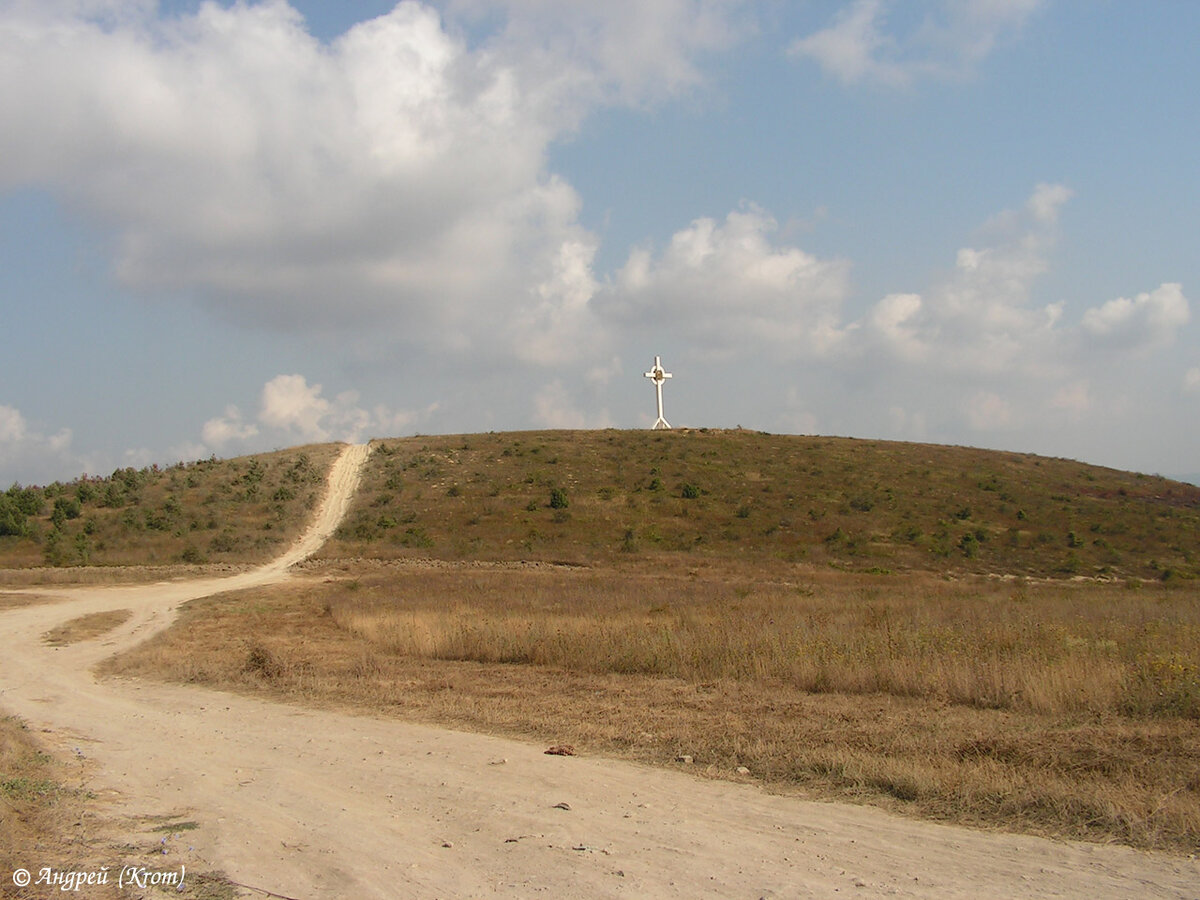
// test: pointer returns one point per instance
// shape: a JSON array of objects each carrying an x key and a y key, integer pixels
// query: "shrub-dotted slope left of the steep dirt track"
[{"x": 239, "y": 511}]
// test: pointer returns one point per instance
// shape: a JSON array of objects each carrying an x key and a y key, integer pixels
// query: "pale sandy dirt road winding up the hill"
[{"x": 319, "y": 805}]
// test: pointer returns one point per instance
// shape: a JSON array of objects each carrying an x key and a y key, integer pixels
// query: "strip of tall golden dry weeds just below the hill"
[{"x": 1065, "y": 650}]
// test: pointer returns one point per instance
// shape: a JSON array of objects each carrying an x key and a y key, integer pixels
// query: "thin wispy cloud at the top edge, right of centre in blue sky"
[{"x": 950, "y": 40}]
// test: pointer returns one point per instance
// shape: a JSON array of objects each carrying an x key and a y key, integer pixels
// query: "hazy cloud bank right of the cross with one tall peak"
[{"x": 977, "y": 343}]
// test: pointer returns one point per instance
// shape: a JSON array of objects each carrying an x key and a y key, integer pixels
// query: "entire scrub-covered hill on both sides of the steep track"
[{"x": 615, "y": 497}]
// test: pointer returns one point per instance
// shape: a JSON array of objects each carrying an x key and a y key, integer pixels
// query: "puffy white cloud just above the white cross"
[{"x": 723, "y": 285}]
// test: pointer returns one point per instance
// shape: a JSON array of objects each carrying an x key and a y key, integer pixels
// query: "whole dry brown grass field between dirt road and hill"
[{"x": 1060, "y": 709}]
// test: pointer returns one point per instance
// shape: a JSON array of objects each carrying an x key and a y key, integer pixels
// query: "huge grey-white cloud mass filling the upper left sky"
[{"x": 391, "y": 182}]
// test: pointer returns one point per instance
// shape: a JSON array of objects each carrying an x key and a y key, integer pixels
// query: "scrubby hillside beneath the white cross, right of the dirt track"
[{"x": 608, "y": 496}]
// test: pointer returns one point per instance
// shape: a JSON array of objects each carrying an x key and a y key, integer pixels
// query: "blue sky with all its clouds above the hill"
[{"x": 231, "y": 227}]
